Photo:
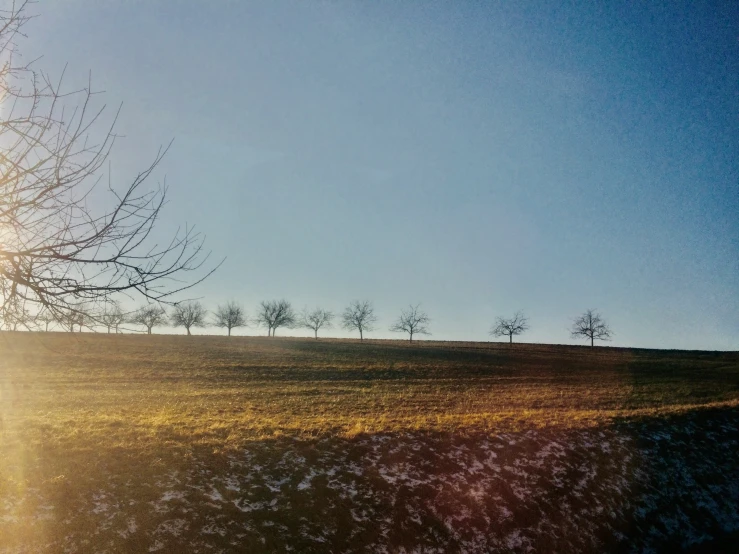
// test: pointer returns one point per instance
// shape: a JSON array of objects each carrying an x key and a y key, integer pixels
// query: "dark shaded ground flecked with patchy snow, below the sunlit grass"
[{"x": 634, "y": 487}]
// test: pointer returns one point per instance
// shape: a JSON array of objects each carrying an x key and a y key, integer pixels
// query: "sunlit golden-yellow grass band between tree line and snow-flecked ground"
[{"x": 80, "y": 410}]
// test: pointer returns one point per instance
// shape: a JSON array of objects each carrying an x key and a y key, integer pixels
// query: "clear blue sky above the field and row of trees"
[{"x": 478, "y": 158}]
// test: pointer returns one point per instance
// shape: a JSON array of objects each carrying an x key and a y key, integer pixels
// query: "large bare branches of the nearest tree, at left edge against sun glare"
[{"x": 57, "y": 248}]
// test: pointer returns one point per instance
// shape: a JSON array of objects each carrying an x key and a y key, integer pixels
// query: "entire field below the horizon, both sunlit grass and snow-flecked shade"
[{"x": 213, "y": 444}]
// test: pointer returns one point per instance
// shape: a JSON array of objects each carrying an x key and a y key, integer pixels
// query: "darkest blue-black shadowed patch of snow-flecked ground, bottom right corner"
[{"x": 686, "y": 485}]
